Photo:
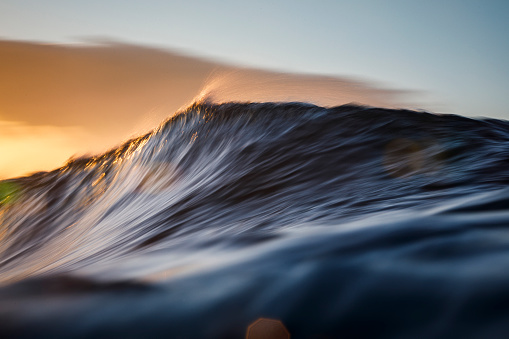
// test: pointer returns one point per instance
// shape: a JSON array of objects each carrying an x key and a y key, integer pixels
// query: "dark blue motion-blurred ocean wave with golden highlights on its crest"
[{"x": 340, "y": 222}]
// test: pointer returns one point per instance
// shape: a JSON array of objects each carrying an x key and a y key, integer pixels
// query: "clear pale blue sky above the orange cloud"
[{"x": 455, "y": 52}]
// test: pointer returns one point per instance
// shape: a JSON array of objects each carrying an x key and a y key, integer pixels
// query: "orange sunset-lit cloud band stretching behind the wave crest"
[{"x": 73, "y": 99}]
